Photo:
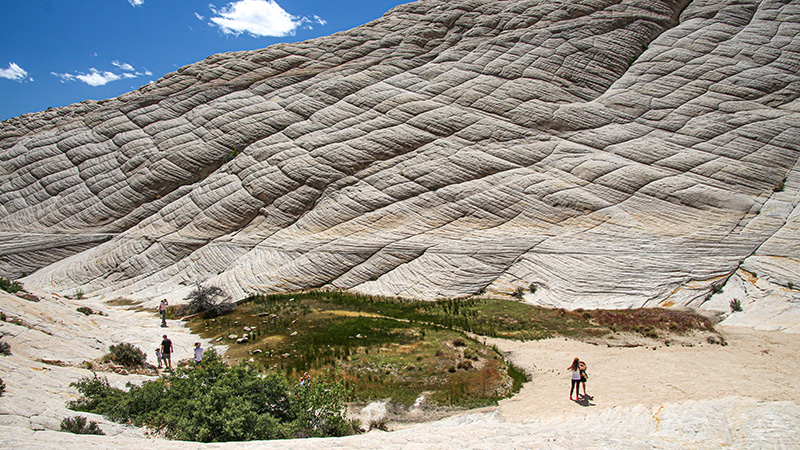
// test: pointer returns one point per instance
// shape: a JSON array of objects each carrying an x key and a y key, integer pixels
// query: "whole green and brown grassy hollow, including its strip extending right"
[{"x": 398, "y": 349}]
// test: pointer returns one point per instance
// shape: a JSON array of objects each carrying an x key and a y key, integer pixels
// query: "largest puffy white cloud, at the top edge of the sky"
[{"x": 256, "y": 18}]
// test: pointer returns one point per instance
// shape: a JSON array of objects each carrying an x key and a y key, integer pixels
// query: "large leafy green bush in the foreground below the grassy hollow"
[{"x": 216, "y": 403}]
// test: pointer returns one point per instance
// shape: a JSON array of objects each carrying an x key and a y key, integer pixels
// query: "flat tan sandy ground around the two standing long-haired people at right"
[{"x": 755, "y": 364}]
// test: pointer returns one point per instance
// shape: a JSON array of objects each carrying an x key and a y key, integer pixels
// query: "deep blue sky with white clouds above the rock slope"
[{"x": 57, "y": 52}]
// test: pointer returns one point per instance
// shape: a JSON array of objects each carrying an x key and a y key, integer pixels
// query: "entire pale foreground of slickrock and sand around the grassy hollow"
[{"x": 667, "y": 397}]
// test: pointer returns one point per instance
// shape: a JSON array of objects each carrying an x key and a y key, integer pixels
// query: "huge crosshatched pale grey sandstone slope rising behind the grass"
[{"x": 608, "y": 152}]
